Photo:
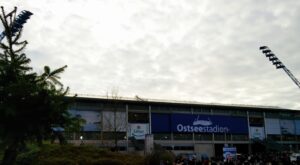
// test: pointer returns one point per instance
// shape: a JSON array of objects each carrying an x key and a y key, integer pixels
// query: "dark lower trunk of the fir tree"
[{"x": 10, "y": 154}]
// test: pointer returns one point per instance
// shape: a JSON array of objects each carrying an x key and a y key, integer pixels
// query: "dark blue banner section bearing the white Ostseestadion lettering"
[{"x": 208, "y": 124}]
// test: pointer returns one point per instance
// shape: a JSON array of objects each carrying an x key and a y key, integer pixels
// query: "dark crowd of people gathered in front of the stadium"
[{"x": 241, "y": 159}]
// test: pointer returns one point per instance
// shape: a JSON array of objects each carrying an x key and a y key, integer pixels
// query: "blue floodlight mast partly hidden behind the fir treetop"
[{"x": 18, "y": 22}]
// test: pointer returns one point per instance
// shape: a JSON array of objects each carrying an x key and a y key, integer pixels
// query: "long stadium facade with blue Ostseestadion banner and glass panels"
[{"x": 184, "y": 127}]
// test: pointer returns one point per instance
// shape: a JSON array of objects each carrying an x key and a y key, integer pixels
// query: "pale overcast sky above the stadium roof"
[{"x": 186, "y": 50}]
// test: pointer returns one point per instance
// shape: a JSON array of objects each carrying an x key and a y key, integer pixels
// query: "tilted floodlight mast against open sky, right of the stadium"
[{"x": 278, "y": 64}]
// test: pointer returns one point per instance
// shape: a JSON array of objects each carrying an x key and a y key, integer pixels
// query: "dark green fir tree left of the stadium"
[{"x": 30, "y": 104}]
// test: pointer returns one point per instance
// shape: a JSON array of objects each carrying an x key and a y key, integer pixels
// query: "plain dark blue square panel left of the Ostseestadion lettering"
[{"x": 160, "y": 123}]
